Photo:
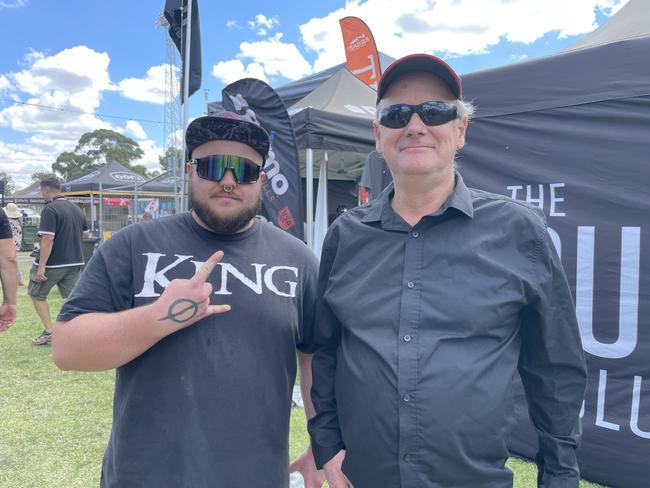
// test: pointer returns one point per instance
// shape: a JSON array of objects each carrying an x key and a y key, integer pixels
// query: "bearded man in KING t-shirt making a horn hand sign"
[{"x": 201, "y": 314}]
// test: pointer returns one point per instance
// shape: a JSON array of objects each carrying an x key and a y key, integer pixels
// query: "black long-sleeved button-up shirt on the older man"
[{"x": 420, "y": 331}]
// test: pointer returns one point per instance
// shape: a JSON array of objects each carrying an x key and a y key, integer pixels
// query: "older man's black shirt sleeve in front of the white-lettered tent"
[{"x": 552, "y": 366}]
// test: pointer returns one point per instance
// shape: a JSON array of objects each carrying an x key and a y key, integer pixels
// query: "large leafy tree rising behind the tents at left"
[{"x": 96, "y": 148}]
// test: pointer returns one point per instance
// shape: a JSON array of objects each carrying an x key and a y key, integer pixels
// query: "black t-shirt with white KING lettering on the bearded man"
[{"x": 207, "y": 406}]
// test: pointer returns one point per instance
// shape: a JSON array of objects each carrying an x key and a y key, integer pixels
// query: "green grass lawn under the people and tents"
[{"x": 55, "y": 425}]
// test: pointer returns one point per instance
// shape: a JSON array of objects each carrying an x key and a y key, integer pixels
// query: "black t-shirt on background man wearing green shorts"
[{"x": 66, "y": 222}]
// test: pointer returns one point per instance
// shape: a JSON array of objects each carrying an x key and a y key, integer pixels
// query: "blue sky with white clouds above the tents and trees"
[{"x": 88, "y": 64}]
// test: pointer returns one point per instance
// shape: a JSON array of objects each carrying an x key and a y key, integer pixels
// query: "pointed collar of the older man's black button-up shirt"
[{"x": 380, "y": 210}]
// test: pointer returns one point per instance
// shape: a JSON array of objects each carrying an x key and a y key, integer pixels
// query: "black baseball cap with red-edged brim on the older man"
[{"x": 425, "y": 63}]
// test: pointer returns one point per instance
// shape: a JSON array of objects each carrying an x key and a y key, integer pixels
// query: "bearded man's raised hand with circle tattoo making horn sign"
[{"x": 185, "y": 302}]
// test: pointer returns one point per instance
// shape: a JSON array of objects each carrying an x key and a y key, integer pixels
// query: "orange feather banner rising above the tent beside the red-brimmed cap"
[{"x": 362, "y": 58}]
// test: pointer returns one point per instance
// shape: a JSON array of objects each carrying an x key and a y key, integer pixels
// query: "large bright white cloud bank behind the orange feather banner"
[{"x": 447, "y": 27}]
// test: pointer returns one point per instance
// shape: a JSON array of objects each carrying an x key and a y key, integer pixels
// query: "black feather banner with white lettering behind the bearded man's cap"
[{"x": 281, "y": 188}]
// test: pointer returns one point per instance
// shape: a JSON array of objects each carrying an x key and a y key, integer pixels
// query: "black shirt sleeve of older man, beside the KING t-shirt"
[{"x": 324, "y": 428}]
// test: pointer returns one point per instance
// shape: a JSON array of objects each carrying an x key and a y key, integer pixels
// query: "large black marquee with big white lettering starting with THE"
[{"x": 570, "y": 133}]
